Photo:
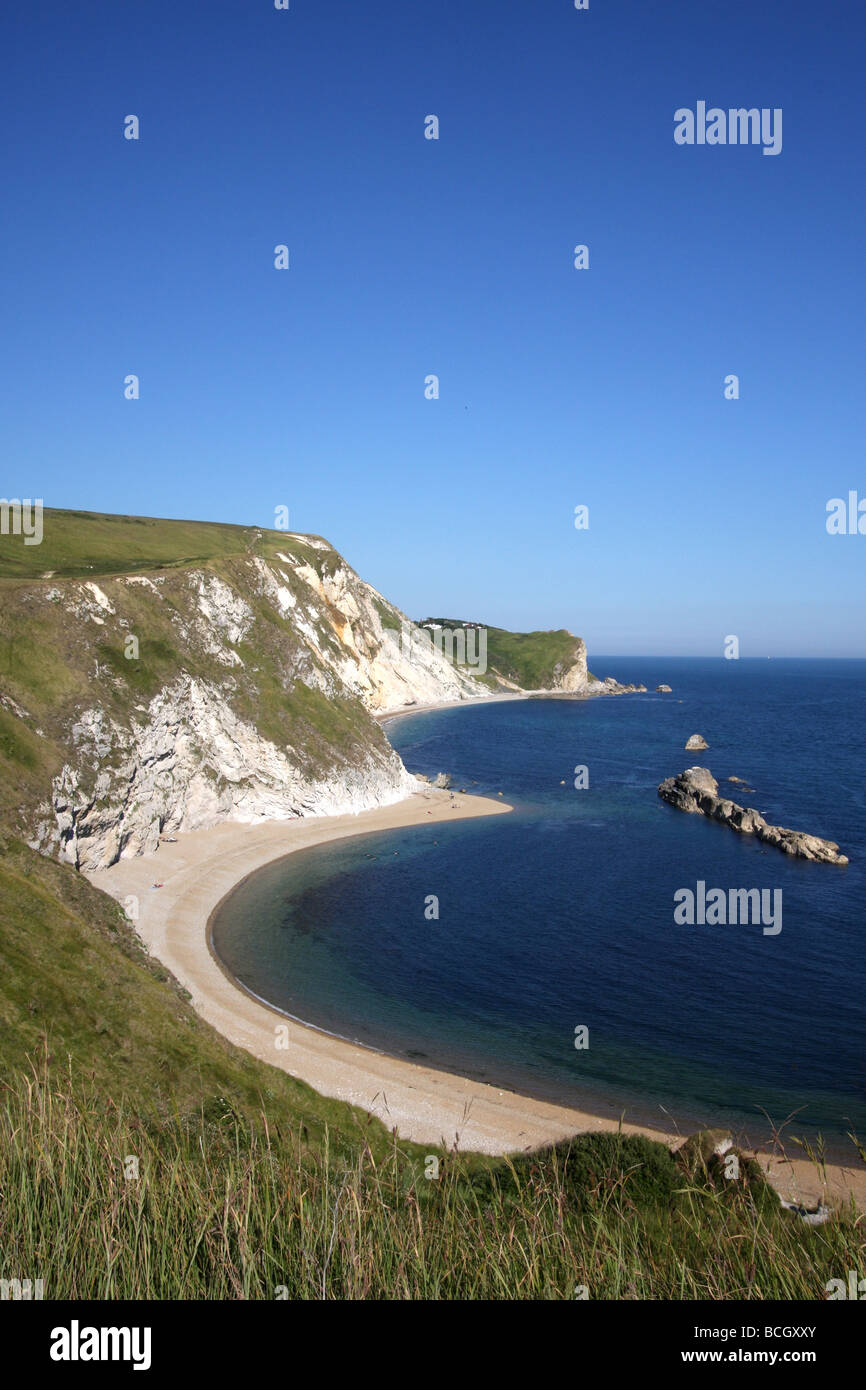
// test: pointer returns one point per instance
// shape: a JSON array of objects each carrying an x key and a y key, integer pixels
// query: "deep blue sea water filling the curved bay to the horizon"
[{"x": 562, "y": 914}]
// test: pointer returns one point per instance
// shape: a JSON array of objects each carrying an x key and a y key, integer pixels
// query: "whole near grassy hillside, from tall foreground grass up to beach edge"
[{"x": 252, "y": 1186}]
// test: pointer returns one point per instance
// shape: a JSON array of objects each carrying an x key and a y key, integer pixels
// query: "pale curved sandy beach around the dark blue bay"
[{"x": 422, "y": 1104}]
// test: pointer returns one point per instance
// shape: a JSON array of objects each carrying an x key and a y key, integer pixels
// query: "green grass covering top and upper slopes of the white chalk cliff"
[{"x": 58, "y": 661}]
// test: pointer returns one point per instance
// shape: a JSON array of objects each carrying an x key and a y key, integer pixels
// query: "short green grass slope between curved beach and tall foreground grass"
[{"x": 79, "y": 992}]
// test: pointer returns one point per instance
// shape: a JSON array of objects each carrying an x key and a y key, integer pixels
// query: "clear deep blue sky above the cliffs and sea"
[{"x": 305, "y": 389}]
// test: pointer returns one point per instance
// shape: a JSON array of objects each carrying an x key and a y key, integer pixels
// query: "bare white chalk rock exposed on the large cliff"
[{"x": 187, "y": 758}]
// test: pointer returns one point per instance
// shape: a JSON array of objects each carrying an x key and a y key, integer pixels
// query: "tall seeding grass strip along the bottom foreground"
[{"x": 229, "y": 1209}]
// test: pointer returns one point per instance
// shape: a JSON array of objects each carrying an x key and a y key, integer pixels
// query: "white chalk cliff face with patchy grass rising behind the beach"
[{"x": 236, "y": 689}]
